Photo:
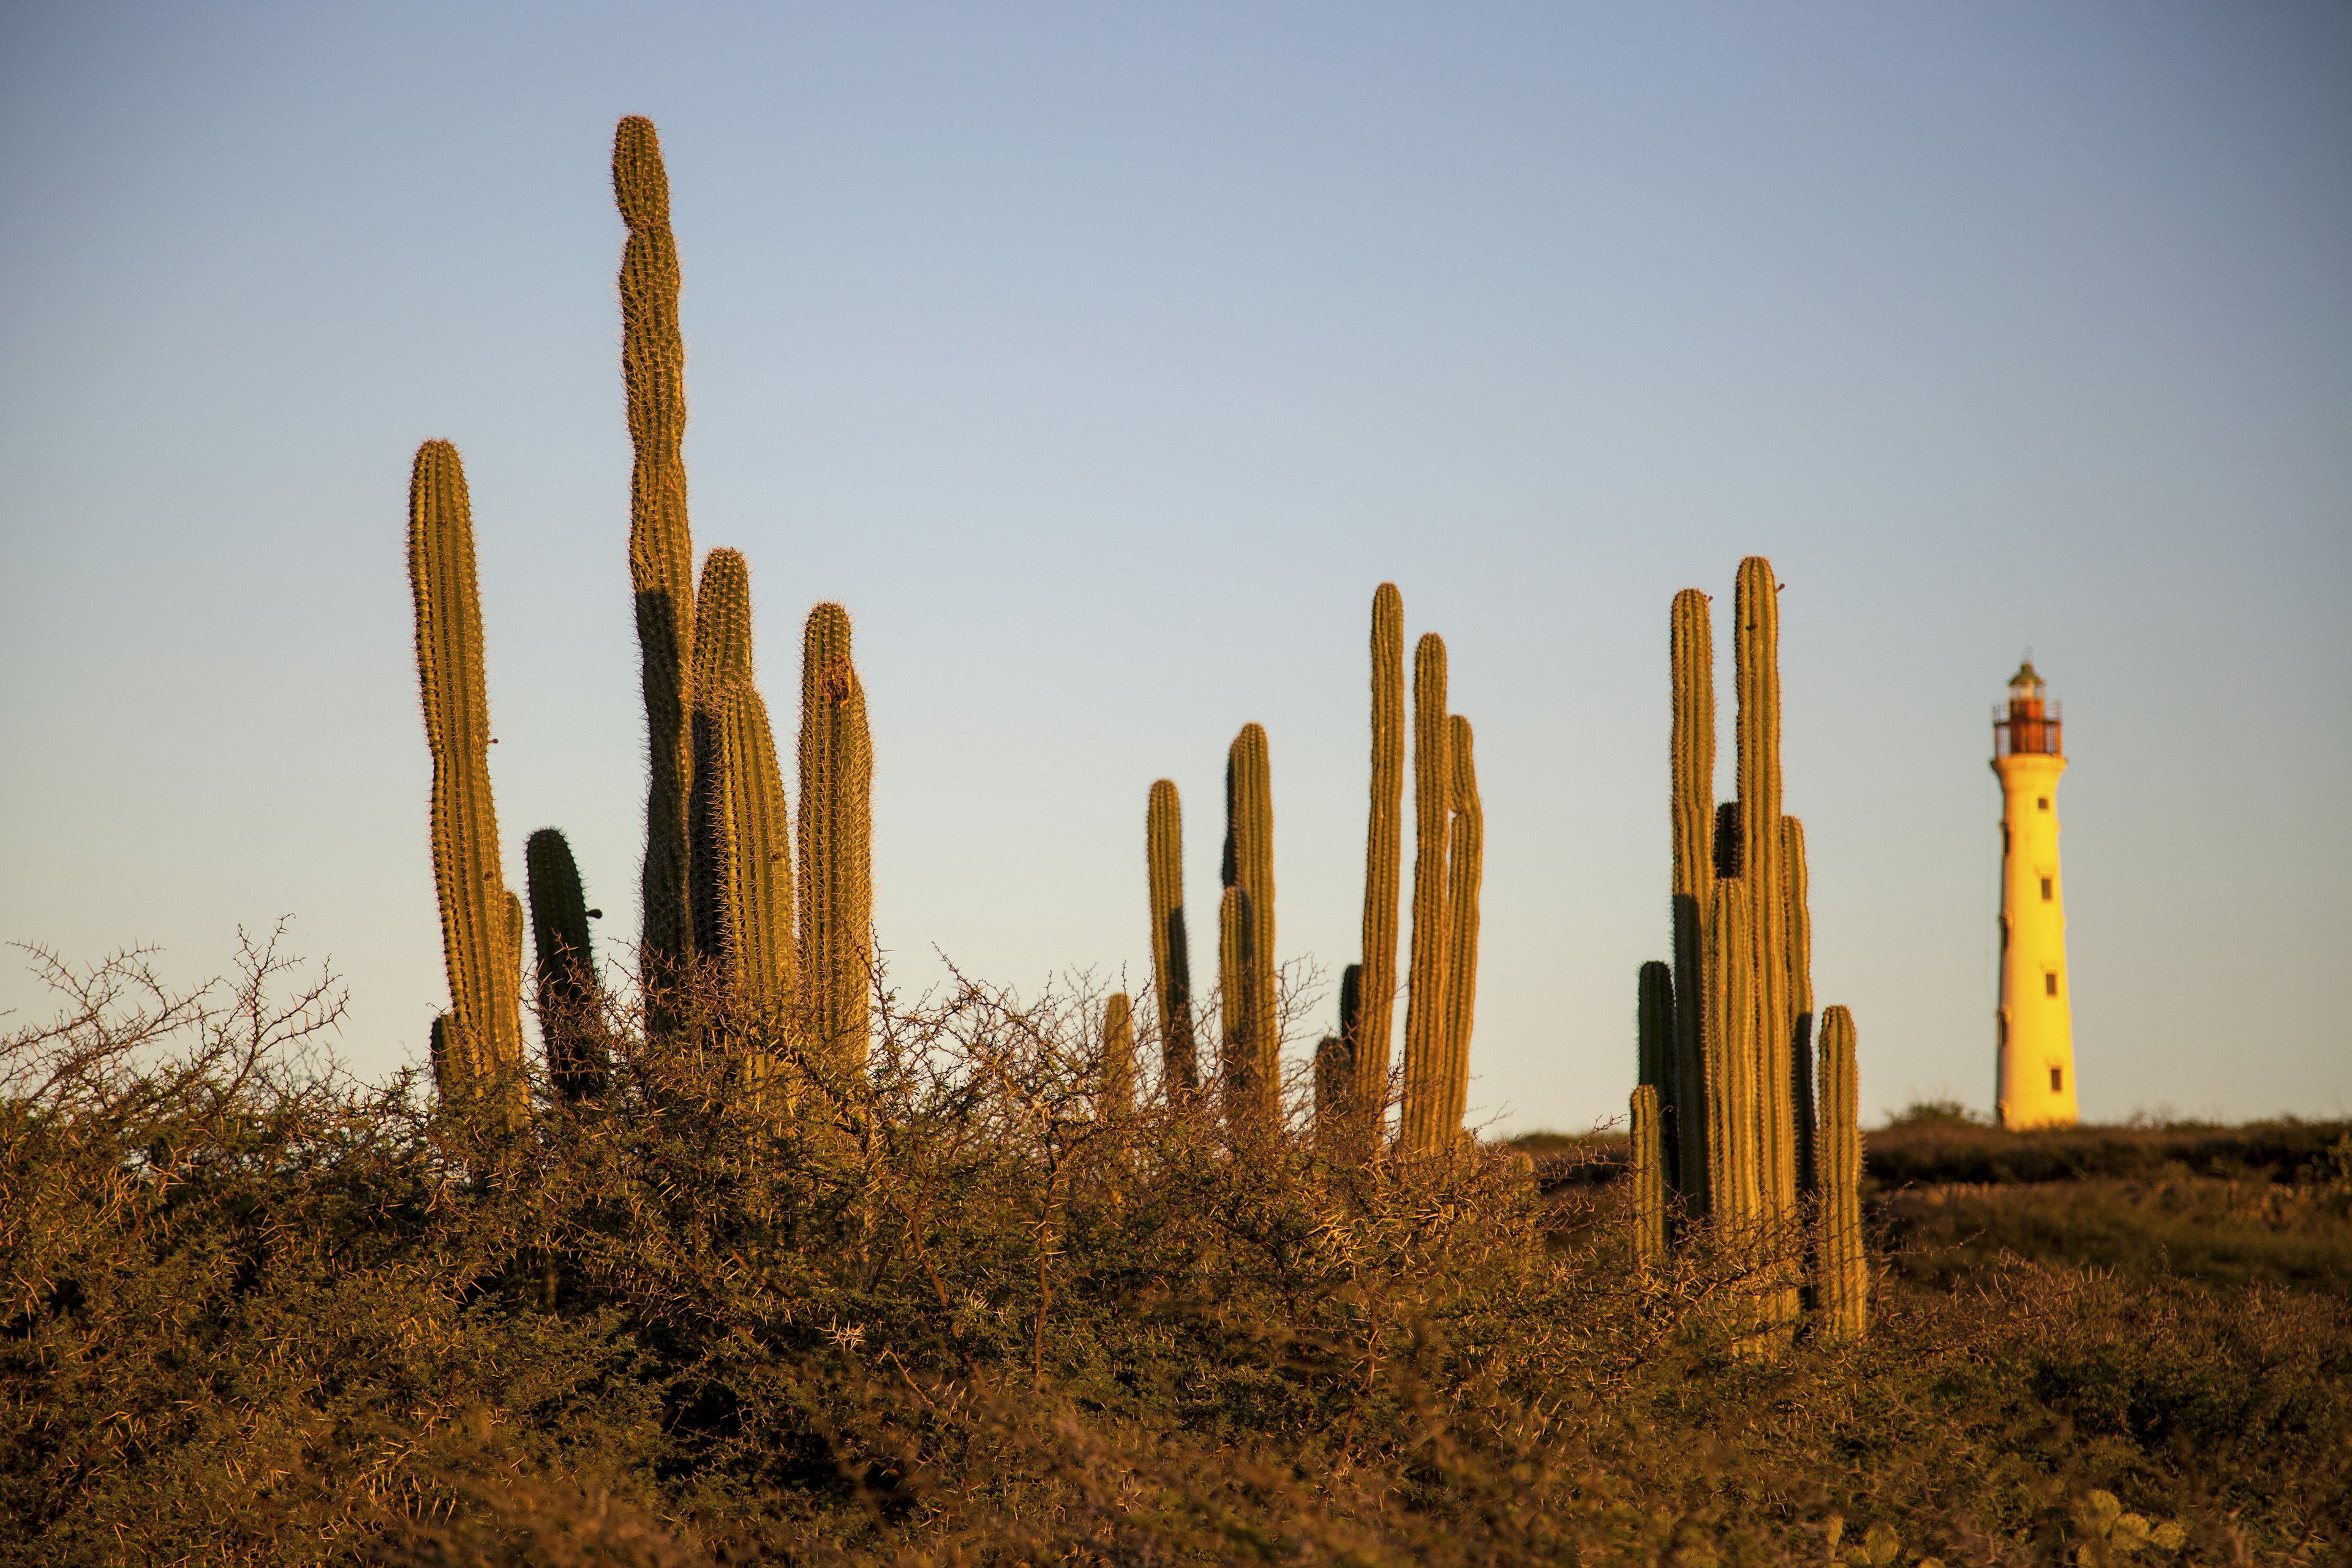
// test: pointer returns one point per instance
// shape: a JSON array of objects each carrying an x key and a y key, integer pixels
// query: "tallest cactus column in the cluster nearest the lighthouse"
[{"x": 1758, "y": 674}]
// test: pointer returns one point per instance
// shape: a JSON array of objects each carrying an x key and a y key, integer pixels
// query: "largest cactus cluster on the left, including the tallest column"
[{"x": 719, "y": 847}]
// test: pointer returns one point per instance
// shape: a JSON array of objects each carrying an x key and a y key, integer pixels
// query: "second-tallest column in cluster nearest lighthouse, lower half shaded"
[{"x": 1692, "y": 810}]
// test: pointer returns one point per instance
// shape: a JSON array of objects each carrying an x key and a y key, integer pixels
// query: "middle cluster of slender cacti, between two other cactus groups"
[{"x": 1351, "y": 1066}]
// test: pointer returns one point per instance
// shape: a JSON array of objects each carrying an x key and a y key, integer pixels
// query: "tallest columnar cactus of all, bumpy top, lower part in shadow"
[{"x": 660, "y": 547}]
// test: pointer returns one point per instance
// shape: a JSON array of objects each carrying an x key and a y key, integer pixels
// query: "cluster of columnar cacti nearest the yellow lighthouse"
[{"x": 1728, "y": 1130}]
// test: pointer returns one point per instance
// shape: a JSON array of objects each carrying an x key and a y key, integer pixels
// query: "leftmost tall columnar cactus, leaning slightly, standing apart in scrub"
[{"x": 481, "y": 937}]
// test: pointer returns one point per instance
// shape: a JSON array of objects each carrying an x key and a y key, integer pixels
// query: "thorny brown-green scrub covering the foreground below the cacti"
[{"x": 262, "y": 1313}]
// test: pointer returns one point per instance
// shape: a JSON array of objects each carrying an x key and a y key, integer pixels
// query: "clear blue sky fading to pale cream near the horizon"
[{"x": 1104, "y": 361}]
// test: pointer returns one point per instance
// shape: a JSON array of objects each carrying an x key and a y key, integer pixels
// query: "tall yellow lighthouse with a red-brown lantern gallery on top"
[{"x": 2036, "y": 1024}]
